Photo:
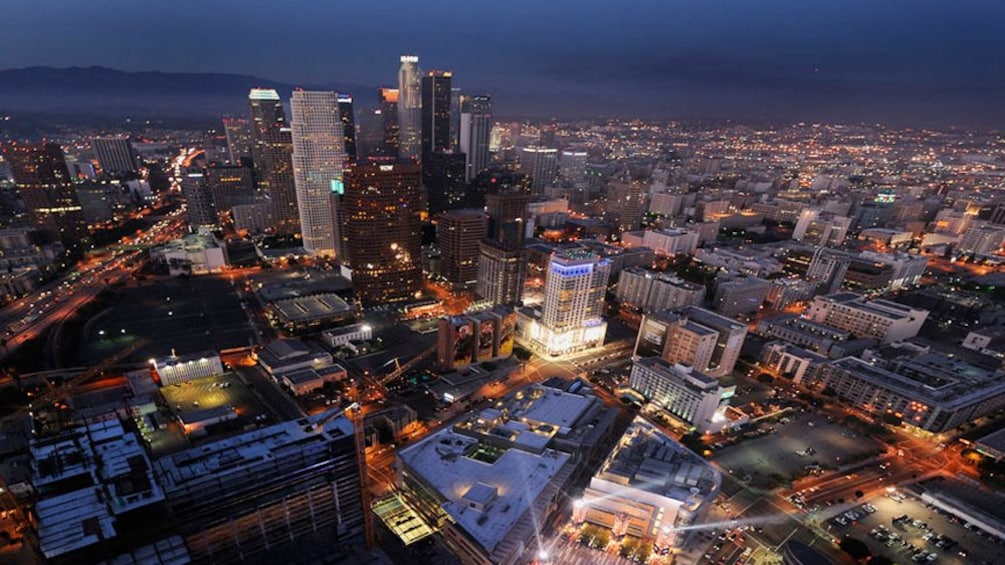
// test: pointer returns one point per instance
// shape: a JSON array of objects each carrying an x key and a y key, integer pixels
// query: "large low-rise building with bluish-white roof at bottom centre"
[{"x": 489, "y": 482}]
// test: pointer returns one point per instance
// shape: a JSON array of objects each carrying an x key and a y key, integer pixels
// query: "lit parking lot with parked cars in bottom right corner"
[{"x": 903, "y": 540}]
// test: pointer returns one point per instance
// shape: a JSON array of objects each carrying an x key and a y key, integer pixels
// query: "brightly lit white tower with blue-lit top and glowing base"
[{"x": 571, "y": 317}]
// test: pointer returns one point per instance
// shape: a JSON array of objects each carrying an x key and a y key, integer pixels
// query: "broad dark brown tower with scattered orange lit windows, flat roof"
[{"x": 382, "y": 232}]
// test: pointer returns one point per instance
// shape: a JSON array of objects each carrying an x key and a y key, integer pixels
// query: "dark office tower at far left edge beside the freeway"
[{"x": 43, "y": 180}]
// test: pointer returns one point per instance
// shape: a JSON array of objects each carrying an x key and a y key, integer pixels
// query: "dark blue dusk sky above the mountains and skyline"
[{"x": 921, "y": 62}]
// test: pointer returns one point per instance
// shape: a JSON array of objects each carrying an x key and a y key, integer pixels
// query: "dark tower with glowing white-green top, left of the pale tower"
[{"x": 273, "y": 151}]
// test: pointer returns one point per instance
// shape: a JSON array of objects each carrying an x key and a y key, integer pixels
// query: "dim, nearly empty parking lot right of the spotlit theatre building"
[{"x": 777, "y": 454}]
